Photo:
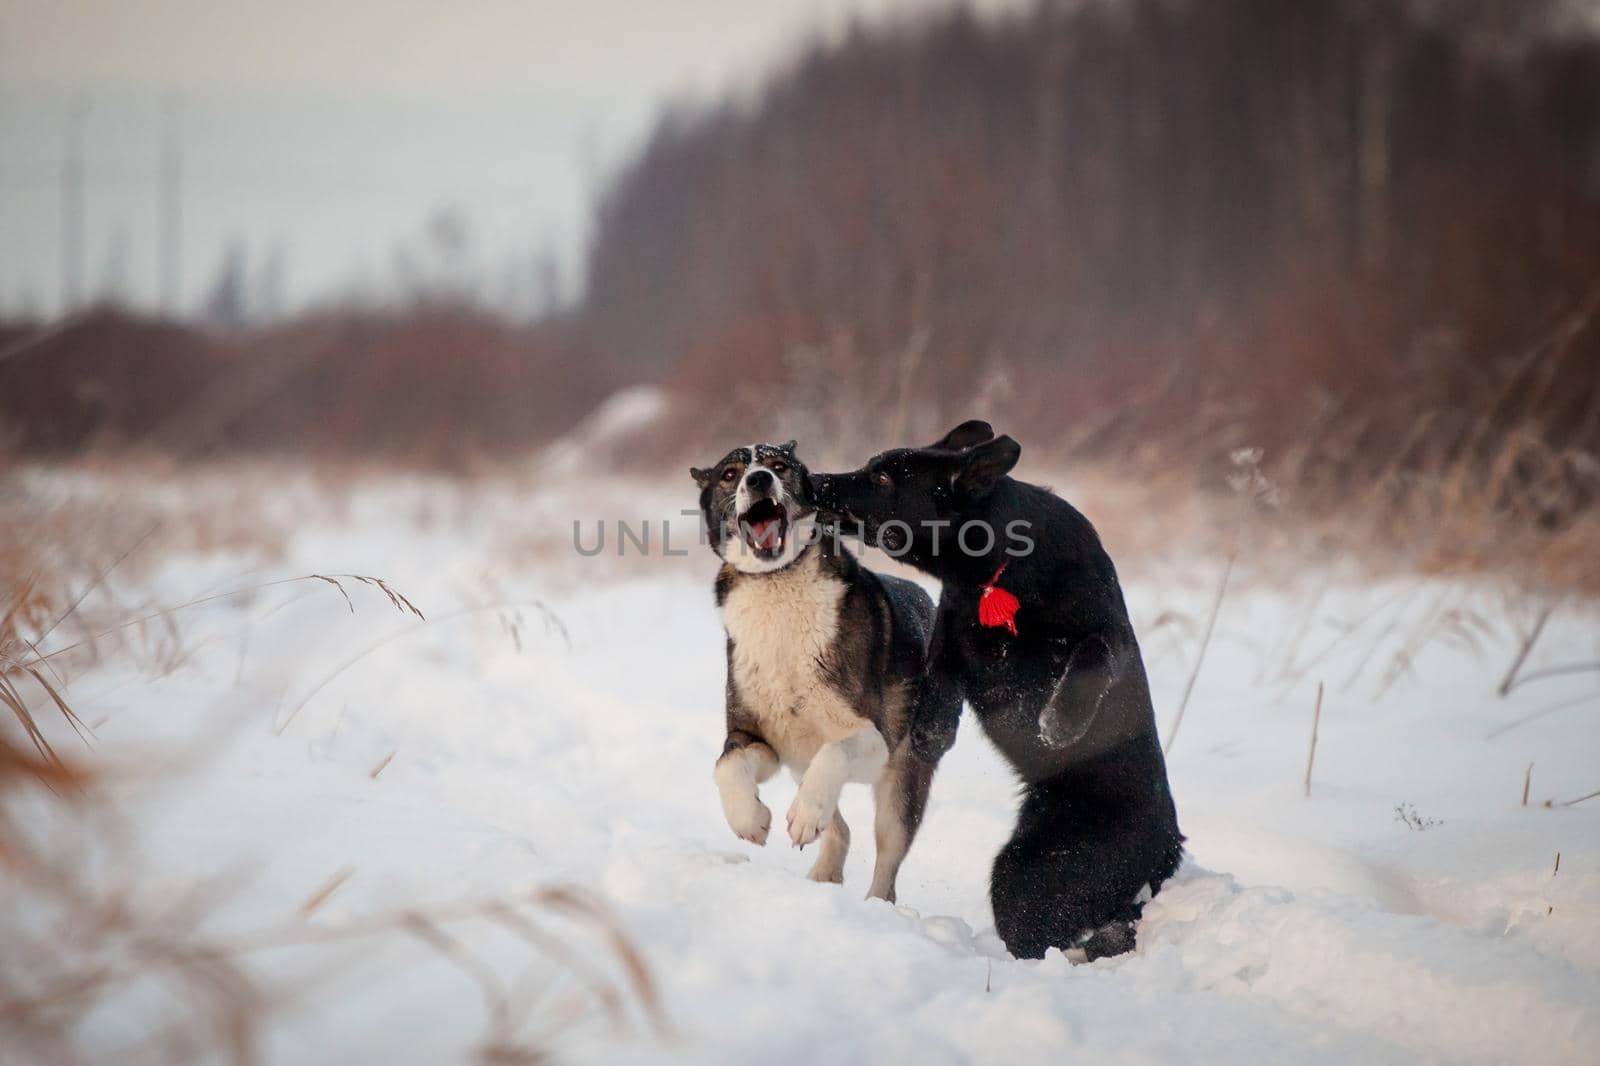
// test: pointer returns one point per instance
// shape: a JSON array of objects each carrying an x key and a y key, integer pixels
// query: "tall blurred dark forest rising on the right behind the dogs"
[{"x": 1127, "y": 225}]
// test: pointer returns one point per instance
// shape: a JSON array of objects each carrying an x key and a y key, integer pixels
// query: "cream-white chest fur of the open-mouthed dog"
[{"x": 783, "y": 627}]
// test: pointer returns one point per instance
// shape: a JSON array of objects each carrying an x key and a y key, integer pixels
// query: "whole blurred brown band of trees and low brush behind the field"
[{"x": 1359, "y": 236}]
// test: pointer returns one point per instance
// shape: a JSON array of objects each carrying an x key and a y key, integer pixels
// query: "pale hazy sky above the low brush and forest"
[{"x": 324, "y": 135}]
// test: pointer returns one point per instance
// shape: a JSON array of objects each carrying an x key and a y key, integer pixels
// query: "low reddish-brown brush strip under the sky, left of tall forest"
[{"x": 431, "y": 385}]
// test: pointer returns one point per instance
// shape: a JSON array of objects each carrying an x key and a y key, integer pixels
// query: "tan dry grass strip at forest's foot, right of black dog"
[{"x": 1438, "y": 523}]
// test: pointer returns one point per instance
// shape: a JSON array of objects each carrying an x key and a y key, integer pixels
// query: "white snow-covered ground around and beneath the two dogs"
[{"x": 290, "y": 771}]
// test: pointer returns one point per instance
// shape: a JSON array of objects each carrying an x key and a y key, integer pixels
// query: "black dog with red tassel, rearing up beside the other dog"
[{"x": 1058, "y": 684}]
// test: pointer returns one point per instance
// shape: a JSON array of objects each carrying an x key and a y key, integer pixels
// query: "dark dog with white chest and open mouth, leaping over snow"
[{"x": 823, "y": 665}]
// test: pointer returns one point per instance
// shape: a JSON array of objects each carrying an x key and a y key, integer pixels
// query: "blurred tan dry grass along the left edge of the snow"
[{"x": 87, "y": 939}]
